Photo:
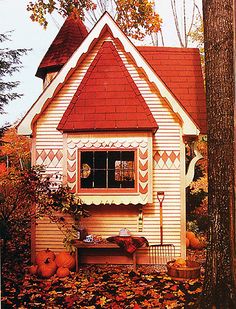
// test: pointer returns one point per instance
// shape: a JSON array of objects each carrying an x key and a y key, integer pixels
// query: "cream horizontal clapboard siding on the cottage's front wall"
[{"x": 107, "y": 221}]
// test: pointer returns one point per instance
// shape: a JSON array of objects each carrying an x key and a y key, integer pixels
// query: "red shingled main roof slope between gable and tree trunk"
[{"x": 180, "y": 69}]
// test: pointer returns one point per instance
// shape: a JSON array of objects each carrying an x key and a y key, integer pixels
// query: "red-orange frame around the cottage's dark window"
[{"x": 109, "y": 191}]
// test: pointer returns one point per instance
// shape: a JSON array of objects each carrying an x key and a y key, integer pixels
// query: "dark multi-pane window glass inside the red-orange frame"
[{"x": 107, "y": 169}]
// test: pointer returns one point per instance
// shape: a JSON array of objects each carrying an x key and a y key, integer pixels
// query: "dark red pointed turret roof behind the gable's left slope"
[{"x": 68, "y": 39}]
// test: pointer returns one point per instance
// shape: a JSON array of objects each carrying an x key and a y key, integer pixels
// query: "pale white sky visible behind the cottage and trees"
[{"x": 27, "y": 34}]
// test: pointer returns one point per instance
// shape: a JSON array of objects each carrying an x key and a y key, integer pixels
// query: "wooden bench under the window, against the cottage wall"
[{"x": 80, "y": 245}]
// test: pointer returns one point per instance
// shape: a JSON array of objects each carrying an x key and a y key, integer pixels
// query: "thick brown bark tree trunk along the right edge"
[{"x": 219, "y": 284}]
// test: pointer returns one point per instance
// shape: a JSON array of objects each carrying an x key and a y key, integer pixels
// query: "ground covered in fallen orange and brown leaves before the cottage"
[{"x": 103, "y": 287}]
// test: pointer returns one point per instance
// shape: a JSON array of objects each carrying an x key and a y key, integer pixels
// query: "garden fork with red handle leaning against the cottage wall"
[{"x": 161, "y": 253}]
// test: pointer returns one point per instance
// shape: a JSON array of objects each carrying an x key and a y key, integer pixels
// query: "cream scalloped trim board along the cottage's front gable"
[{"x": 24, "y": 127}]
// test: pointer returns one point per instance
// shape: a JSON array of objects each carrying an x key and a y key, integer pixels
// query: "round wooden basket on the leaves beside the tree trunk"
[{"x": 190, "y": 271}]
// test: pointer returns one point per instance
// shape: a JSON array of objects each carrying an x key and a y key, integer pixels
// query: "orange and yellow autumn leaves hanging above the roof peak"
[{"x": 136, "y": 18}]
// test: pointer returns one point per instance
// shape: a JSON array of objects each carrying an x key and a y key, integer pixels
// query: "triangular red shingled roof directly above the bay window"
[{"x": 107, "y": 98}]
